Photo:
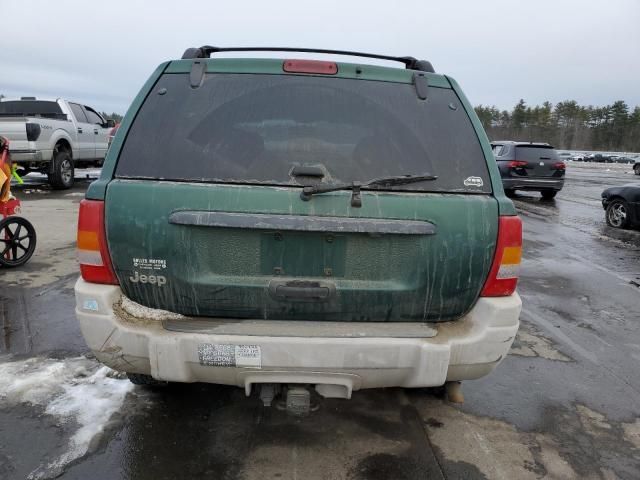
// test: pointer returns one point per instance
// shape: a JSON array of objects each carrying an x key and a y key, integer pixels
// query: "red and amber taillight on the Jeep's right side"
[{"x": 503, "y": 276}]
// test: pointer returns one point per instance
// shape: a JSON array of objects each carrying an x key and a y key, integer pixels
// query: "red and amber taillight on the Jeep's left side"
[{"x": 93, "y": 254}]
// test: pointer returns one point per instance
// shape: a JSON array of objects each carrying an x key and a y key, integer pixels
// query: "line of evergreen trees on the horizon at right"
[{"x": 566, "y": 125}]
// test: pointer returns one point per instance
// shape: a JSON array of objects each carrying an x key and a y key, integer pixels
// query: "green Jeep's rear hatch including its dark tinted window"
[{"x": 205, "y": 217}]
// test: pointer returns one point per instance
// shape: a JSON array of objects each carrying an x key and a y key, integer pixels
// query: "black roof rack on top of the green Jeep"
[{"x": 410, "y": 63}]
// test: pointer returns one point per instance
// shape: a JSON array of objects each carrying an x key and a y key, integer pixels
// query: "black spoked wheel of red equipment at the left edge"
[{"x": 17, "y": 241}]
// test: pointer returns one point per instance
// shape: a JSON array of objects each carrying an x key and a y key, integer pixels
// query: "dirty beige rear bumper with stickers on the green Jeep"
[{"x": 465, "y": 349}]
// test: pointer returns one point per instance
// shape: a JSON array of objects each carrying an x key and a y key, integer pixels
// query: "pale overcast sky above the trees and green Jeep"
[{"x": 100, "y": 53}]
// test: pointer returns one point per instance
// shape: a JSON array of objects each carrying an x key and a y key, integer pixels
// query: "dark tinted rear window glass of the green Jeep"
[{"x": 254, "y": 128}]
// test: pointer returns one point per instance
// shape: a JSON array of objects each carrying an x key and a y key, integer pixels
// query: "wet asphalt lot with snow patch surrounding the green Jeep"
[{"x": 564, "y": 404}]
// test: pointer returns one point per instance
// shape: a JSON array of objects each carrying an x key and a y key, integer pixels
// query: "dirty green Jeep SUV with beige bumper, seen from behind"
[{"x": 269, "y": 221}]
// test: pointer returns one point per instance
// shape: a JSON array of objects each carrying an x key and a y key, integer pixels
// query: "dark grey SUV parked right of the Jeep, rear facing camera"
[{"x": 529, "y": 166}]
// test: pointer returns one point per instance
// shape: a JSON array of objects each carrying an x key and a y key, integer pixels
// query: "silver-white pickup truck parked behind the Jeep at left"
[{"x": 53, "y": 136}]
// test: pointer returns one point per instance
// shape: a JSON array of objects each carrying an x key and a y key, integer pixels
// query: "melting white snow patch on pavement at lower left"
[{"x": 73, "y": 389}]
